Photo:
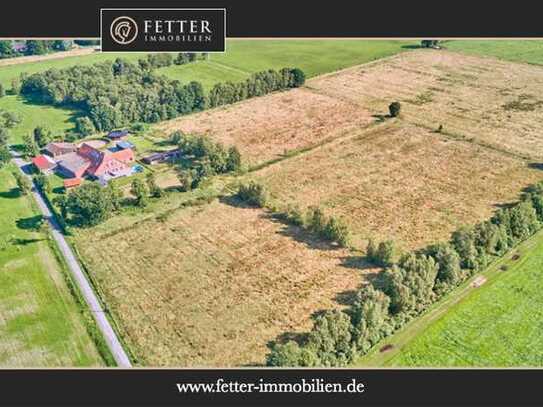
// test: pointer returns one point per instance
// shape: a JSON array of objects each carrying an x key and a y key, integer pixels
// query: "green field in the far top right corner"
[{"x": 530, "y": 51}]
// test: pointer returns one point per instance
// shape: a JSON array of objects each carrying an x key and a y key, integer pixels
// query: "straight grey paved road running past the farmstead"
[{"x": 84, "y": 287}]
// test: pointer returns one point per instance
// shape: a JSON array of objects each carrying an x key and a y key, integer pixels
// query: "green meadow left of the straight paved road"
[{"x": 41, "y": 325}]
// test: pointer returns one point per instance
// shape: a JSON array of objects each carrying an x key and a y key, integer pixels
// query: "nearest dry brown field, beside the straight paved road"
[{"x": 212, "y": 285}]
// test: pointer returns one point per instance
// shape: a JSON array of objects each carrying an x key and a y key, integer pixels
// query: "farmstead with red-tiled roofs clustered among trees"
[{"x": 97, "y": 159}]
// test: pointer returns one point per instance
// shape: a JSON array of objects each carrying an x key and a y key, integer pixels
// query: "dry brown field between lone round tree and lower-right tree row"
[{"x": 401, "y": 181}]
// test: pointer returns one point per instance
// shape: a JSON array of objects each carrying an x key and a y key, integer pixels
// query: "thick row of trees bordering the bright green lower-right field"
[{"x": 409, "y": 284}]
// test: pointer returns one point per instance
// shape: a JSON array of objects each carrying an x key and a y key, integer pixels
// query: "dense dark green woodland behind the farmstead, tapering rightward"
[{"x": 115, "y": 94}]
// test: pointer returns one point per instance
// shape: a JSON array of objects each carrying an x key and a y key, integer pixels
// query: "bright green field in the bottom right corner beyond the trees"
[{"x": 495, "y": 325}]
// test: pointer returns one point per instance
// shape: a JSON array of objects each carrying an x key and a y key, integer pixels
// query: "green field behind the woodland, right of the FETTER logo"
[{"x": 314, "y": 57}]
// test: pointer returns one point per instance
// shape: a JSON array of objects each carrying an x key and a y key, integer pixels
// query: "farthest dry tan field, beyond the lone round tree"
[{"x": 493, "y": 102}]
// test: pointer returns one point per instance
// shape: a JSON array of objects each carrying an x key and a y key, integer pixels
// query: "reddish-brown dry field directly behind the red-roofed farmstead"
[{"x": 267, "y": 128}]
